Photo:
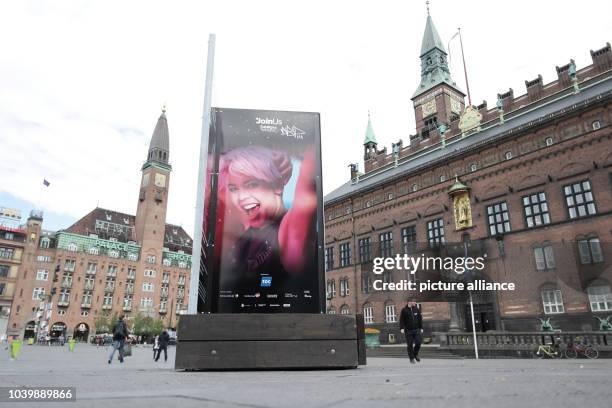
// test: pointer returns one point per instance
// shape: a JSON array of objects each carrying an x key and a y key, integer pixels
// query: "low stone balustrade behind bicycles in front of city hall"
[{"x": 522, "y": 340}]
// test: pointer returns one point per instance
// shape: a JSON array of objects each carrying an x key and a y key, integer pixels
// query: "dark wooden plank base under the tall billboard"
[{"x": 269, "y": 341}]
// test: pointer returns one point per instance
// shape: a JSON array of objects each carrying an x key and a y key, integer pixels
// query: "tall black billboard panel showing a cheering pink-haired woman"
[{"x": 263, "y": 214}]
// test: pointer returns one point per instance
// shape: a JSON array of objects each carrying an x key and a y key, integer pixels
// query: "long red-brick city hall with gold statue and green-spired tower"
[{"x": 527, "y": 184}]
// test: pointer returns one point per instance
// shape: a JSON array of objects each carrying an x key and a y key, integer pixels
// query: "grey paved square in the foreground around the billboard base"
[{"x": 384, "y": 382}]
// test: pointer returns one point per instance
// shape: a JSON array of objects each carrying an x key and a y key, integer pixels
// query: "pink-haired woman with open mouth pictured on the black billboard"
[{"x": 267, "y": 205}]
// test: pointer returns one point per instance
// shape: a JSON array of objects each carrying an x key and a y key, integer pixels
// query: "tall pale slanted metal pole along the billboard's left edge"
[{"x": 194, "y": 281}]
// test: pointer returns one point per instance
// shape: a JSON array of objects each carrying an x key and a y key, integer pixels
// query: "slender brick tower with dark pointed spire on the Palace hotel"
[{"x": 153, "y": 195}]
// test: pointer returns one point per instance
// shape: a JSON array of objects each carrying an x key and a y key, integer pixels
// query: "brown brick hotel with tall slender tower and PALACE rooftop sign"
[{"x": 106, "y": 263}]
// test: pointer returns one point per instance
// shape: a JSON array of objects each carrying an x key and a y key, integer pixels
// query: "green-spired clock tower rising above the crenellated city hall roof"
[{"x": 437, "y": 100}]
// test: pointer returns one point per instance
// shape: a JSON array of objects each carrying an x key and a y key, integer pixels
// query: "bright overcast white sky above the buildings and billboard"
[{"x": 82, "y": 82}]
